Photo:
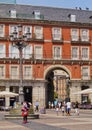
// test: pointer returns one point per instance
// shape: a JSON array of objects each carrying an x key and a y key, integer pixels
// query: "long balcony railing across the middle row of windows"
[{"x": 47, "y": 56}]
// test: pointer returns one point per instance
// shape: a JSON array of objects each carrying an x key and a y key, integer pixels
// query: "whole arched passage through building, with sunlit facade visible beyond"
[{"x": 57, "y": 87}]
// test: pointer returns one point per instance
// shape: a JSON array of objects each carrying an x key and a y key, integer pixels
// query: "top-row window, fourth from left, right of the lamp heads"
[{"x": 38, "y": 30}]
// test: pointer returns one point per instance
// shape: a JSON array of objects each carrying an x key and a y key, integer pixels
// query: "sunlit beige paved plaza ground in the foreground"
[{"x": 50, "y": 121}]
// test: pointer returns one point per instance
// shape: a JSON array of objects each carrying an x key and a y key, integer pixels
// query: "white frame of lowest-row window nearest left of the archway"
[{"x": 29, "y": 73}]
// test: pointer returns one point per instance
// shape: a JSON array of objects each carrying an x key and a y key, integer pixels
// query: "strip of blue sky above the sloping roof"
[{"x": 59, "y": 3}]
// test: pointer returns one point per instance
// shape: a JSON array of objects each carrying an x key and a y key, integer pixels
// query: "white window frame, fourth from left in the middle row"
[{"x": 39, "y": 55}]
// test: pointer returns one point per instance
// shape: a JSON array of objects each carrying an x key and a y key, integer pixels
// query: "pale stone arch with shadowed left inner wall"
[{"x": 48, "y": 75}]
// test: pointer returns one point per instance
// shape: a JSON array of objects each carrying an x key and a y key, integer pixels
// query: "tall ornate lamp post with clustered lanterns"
[{"x": 20, "y": 41}]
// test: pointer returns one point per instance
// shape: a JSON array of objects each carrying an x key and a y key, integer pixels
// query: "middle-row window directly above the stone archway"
[{"x": 57, "y": 52}]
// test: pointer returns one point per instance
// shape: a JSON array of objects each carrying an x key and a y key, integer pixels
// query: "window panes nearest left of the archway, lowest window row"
[{"x": 27, "y": 72}]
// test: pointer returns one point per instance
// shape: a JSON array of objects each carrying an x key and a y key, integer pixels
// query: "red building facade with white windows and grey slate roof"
[{"x": 60, "y": 39}]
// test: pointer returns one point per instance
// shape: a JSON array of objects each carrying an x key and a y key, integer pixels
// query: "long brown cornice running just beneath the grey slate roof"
[{"x": 45, "y": 22}]
